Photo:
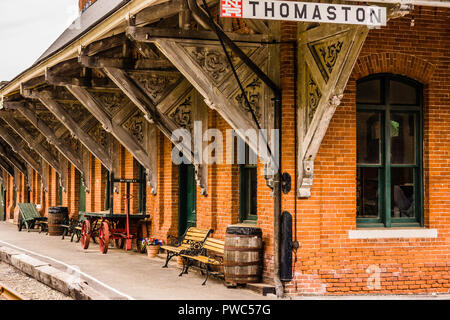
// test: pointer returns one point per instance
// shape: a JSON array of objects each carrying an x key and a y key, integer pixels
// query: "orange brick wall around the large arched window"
[{"x": 330, "y": 263}]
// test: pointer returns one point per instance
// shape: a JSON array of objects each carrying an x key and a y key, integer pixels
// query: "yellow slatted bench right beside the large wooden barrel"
[{"x": 210, "y": 255}]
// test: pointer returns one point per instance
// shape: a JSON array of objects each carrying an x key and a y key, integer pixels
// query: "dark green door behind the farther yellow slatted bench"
[{"x": 187, "y": 214}]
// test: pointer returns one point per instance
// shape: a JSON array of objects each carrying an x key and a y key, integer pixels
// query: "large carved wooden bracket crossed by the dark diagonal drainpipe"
[{"x": 205, "y": 66}]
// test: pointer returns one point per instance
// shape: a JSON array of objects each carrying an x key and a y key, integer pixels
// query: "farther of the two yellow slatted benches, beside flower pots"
[{"x": 193, "y": 239}]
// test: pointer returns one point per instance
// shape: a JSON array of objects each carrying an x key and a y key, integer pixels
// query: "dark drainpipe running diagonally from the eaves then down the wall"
[{"x": 203, "y": 19}]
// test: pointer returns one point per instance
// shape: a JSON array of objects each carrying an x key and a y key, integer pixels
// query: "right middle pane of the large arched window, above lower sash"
[{"x": 403, "y": 138}]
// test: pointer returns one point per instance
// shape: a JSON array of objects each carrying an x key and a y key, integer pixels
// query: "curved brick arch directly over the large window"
[{"x": 396, "y": 63}]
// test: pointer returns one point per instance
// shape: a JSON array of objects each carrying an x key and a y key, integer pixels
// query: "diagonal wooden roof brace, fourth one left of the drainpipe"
[{"x": 64, "y": 117}]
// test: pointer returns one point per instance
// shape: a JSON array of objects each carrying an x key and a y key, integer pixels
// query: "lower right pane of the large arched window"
[{"x": 402, "y": 193}]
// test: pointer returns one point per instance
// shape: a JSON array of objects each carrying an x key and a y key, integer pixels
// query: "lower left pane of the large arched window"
[{"x": 367, "y": 193}]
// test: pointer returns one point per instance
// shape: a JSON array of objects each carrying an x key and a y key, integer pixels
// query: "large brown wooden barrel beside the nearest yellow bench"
[{"x": 243, "y": 254}]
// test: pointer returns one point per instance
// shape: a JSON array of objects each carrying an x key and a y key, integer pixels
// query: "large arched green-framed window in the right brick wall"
[{"x": 389, "y": 151}]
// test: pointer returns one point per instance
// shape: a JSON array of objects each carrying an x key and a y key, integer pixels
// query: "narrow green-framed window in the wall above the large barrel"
[{"x": 248, "y": 189}]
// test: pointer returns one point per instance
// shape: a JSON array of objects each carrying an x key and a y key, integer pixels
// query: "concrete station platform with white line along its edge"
[{"x": 118, "y": 274}]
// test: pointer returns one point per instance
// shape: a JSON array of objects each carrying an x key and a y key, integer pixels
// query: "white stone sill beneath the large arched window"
[{"x": 382, "y": 233}]
